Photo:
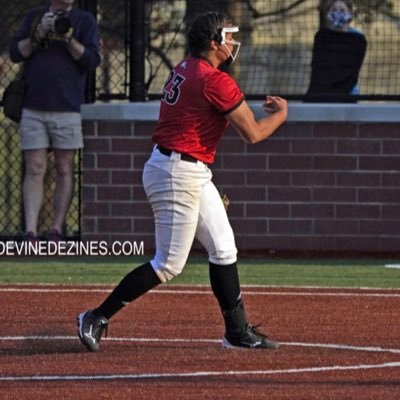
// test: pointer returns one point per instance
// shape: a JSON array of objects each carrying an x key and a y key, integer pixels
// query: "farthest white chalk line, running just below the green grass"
[{"x": 203, "y": 292}]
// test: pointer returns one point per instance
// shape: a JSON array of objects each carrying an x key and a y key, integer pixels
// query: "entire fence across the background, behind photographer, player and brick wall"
[{"x": 277, "y": 38}]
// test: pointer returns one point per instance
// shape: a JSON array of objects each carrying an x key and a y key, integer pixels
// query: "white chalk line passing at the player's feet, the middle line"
[{"x": 373, "y": 349}]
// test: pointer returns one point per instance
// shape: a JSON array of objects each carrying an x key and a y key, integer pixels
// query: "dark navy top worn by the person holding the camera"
[{"x": 54, "y": 80}]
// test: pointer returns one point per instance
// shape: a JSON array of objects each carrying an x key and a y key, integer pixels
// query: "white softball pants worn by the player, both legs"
[{"x": 185, "y": 204}]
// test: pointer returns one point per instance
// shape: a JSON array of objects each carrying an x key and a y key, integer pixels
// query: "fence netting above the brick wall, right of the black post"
[{"x": 277, "y": 38}]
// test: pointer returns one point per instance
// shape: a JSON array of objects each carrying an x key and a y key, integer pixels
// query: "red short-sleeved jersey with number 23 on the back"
[{"x": 195, "y": 100}]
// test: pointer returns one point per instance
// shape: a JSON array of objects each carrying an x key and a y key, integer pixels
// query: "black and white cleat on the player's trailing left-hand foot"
[{"x": 90, "y": 328}]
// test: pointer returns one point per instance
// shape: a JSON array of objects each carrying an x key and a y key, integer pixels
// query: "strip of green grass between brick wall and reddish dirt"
[{"x": 279, "y": 272}]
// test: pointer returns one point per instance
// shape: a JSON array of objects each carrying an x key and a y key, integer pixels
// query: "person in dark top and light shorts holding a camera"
[{"x": 58, "y": 45}]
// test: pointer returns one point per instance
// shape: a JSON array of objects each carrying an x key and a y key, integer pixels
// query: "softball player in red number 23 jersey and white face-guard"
[{"x": 198, "y": 103}]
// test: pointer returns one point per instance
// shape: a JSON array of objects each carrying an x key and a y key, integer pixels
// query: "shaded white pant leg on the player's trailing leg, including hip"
[{"x": 174, "y": 189}]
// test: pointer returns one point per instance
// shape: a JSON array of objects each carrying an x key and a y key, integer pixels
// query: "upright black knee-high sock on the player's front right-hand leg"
[{"x": 225, "y": 285}]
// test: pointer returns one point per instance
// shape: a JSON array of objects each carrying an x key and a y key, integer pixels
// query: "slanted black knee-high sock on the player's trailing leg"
[{"x": 133, "y": 285}]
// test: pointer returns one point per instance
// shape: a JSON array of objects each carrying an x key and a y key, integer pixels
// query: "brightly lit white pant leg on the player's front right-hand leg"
[{"x": 214, "y": 230}]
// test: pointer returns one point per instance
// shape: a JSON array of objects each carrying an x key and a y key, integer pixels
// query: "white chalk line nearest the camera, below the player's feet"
[{"x": 198, "y": 374}]
